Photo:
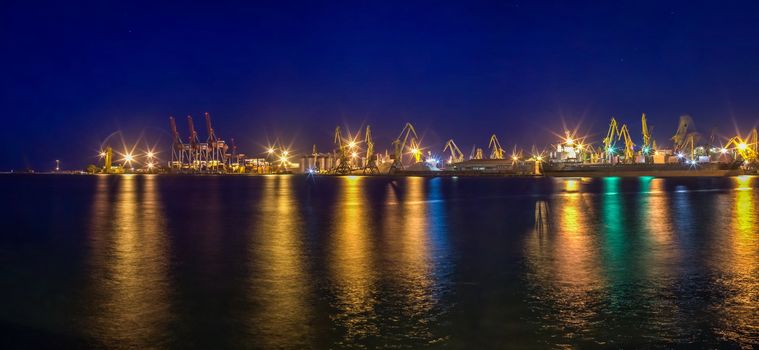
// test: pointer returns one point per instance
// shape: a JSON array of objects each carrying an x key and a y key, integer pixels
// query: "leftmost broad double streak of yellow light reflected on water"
[{"x": 129, "y": 261}]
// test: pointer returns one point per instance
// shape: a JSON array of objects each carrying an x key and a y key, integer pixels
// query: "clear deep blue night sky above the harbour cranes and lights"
[{"x": 72, "y": 73}]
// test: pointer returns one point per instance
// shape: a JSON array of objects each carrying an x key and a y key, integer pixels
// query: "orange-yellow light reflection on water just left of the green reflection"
[{"x": 564, "y": 264}]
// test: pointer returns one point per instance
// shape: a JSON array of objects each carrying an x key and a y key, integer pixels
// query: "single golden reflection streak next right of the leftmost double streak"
[{"x": 279, "y": 276}]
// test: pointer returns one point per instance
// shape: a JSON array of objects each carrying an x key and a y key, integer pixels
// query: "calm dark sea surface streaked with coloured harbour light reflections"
[{"x": 298, "y": 262}]
